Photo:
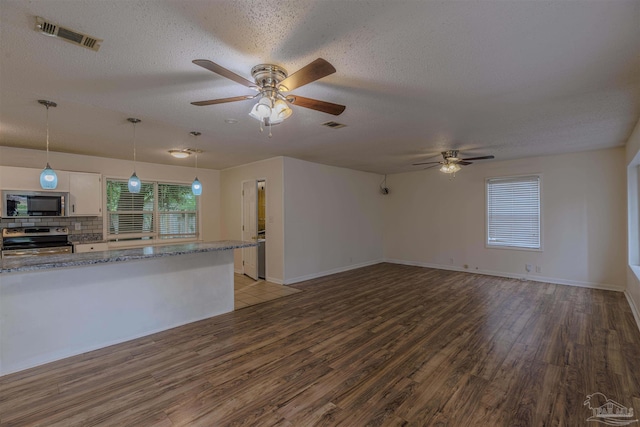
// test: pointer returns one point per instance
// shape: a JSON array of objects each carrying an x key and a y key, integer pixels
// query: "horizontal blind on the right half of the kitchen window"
[{"x": 178, "y": 211}]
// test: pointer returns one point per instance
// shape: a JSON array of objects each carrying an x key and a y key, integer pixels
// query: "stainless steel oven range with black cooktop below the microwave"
[{"x": 35, "y": 241}]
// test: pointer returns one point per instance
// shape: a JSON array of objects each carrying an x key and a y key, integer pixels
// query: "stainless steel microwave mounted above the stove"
[{"x": 18, "y": 203}]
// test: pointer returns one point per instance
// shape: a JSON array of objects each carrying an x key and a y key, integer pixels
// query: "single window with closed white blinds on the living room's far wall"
[{"x": 513, "y": 212}]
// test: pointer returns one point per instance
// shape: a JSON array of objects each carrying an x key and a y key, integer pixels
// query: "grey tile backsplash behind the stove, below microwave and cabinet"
[{"x": 90, "y": 226}]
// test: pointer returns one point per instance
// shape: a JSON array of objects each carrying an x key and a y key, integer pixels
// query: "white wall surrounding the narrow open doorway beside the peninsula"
[{"x": 231, "y": 211}]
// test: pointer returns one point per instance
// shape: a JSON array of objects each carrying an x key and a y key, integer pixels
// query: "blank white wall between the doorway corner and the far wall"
[{"x": 333, "y": 219}]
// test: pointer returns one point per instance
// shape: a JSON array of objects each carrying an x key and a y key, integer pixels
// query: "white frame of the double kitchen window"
[{"x": 154, "y": 237}]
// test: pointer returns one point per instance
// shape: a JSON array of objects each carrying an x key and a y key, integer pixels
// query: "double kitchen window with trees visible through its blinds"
[{"x": 159, "y": 211}]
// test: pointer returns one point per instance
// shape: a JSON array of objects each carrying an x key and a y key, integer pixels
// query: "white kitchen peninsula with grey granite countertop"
[{"x": 52, "y": 307}]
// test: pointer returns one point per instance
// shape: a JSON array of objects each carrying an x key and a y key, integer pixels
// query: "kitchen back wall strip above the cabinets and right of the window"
[{"x": 112, "y": 168}]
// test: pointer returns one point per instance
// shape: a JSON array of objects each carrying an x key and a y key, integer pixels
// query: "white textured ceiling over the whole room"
[{"x": 509, "y": 78}]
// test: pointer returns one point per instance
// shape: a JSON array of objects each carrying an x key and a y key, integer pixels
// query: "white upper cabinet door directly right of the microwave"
[{"x": 85, "y": 194}]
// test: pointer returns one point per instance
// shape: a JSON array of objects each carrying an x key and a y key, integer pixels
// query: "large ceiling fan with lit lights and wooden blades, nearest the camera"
[{"x": 272, "y": 82}]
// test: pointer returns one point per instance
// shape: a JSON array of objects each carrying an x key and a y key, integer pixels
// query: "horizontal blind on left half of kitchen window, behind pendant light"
[{"x": 130, "y": 214}]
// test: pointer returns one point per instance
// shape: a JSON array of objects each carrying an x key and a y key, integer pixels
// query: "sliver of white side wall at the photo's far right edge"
[{"x": 633, "y": 212}]
